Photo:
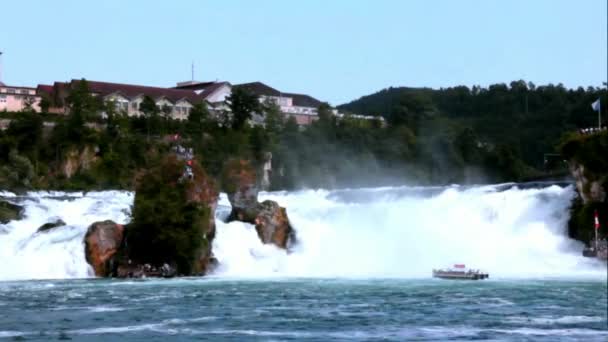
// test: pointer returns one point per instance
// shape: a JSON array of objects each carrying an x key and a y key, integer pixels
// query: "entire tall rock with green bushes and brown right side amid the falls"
[{"x": 173, "y": 224}]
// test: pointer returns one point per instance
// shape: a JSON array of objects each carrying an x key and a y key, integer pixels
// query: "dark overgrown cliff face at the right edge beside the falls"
[{"x": 587, "y": 157}]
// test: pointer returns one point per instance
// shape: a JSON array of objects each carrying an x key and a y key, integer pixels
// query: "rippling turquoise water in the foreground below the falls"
[{"x": 219, "y": 309}]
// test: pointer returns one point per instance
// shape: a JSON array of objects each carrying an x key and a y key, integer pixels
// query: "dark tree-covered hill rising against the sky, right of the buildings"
[{"x": 527, "y": 118}]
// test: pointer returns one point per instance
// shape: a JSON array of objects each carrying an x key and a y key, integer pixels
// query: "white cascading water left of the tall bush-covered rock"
[{"x": 58, "y": 253}]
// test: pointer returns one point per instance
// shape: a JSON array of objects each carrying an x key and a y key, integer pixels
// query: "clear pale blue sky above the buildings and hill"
[{"x": 336, "y": 51}]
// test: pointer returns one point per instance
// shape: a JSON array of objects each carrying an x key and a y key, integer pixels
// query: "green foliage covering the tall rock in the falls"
[{"x": 165, "y": 226}]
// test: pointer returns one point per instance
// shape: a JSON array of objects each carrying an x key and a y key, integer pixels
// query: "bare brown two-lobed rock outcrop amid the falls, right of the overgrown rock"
[{"x": 270, "y": 220}]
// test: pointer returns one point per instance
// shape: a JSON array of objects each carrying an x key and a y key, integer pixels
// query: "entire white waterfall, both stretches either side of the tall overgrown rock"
[{"x": 382, "y": 232}]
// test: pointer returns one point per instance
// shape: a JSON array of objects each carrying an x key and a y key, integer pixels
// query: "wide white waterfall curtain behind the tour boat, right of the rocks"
[{"x": 392, "y": 233}]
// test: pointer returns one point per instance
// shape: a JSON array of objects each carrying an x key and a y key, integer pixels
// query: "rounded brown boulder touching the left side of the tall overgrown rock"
[{"x": 102, "y": 241}]
